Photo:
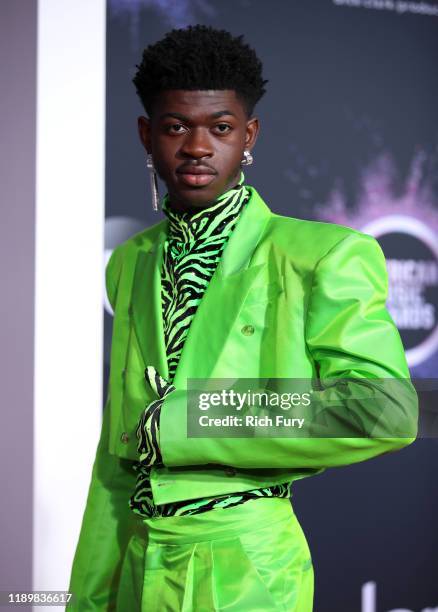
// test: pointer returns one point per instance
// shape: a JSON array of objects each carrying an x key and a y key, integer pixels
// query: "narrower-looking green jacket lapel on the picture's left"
[{"x": 146, "y": 304}]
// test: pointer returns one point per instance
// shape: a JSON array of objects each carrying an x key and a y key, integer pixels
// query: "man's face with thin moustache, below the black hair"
[{"x": 197, "y": 139}]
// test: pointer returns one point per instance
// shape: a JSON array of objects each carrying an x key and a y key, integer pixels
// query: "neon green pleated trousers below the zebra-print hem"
[{"x": 248, "y": 558}]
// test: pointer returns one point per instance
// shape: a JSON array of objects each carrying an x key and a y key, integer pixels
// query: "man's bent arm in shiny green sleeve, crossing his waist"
[{"x": 350, "y": 335}]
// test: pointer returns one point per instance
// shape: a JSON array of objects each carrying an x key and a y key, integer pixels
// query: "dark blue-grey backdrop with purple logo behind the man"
[{"x": 349, "y": 134}]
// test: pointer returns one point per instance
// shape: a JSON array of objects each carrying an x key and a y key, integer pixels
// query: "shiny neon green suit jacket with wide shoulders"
[{"x": 314, "y": 294}]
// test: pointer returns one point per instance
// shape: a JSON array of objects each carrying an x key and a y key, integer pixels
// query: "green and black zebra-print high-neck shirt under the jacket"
[{"x": 191, "y": 253}]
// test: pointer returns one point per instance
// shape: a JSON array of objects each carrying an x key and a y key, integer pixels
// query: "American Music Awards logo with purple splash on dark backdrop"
[{"x": 406, "y": 226}]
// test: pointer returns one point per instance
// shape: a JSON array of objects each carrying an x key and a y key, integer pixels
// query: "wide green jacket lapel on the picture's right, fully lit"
[{"x": 224, "y": 295}]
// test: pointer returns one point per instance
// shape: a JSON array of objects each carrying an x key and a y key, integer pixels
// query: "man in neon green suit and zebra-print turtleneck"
[{"x": 222, "y": 288}]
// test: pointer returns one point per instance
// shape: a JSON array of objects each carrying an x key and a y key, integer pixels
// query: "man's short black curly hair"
[{"x": 200, "y": 58}]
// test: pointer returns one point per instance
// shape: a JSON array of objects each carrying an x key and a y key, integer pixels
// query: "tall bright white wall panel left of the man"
[{"x": 69, "y": 281}]
